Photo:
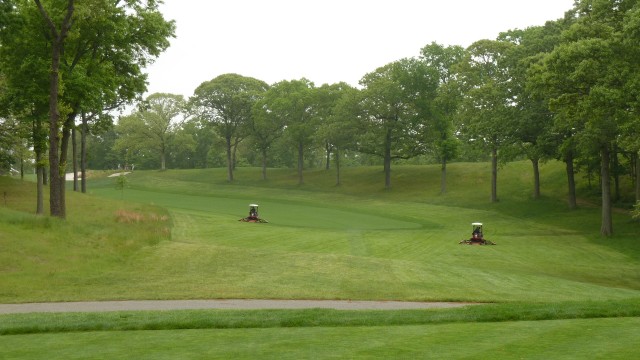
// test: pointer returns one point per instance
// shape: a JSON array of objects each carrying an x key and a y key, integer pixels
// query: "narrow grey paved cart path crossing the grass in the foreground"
[{"x": 152, "y": 305}]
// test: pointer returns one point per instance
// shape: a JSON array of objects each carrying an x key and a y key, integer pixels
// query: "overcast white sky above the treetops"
[{"x": 325, "y": 41}]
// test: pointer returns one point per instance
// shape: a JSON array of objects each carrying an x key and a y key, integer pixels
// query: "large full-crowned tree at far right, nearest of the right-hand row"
[{"x": 588, "y": 74}]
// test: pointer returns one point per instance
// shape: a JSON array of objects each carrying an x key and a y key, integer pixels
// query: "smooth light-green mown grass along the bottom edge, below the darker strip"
[{"x": 568, "y": 339}]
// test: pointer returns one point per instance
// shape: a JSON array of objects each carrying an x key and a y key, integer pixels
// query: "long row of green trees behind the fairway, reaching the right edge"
[{"x": 565, "y": 90}]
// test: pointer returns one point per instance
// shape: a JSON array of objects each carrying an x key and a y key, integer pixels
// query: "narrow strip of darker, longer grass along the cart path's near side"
[{"x": 37, "y": 323}]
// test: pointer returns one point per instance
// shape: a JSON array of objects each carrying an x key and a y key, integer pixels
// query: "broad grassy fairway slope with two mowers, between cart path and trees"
[{"x": 357, "y": 241}]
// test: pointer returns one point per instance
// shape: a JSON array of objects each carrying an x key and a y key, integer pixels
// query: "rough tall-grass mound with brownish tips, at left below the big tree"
[{"x": 49, "y": 259}]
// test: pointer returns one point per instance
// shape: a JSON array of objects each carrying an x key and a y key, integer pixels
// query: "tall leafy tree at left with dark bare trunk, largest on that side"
[{"x": 94, "y": 51}]
